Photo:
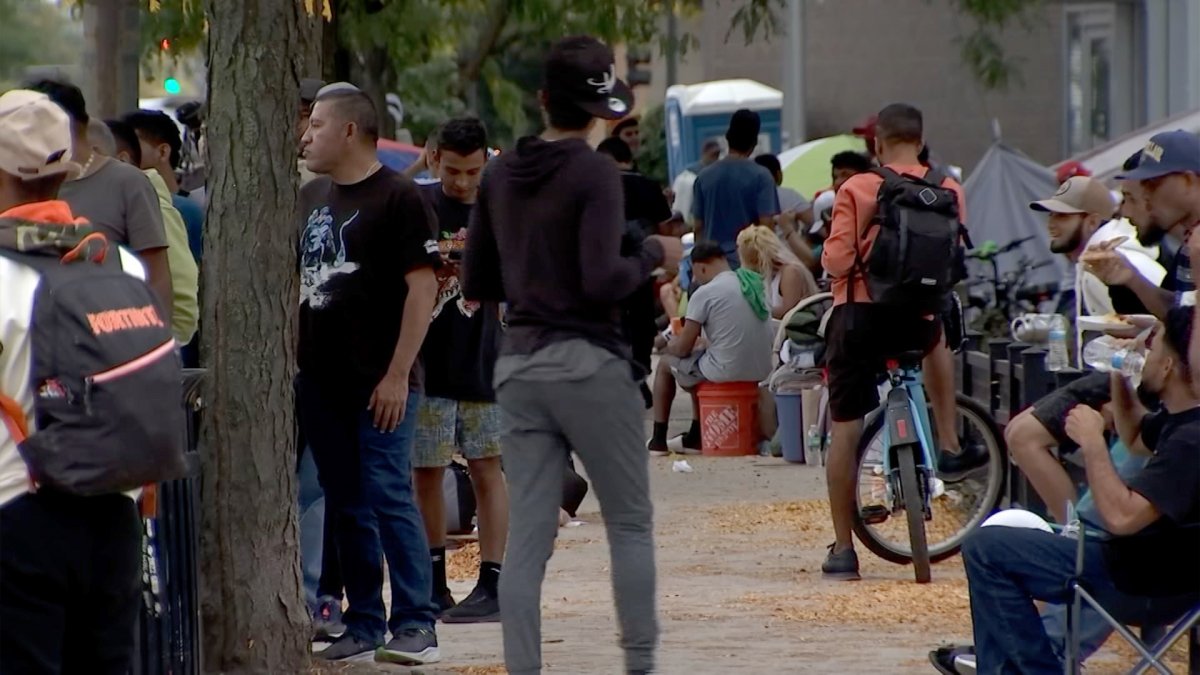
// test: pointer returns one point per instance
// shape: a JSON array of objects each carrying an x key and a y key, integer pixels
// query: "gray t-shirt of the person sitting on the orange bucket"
[{"x": 739, "y": 342}]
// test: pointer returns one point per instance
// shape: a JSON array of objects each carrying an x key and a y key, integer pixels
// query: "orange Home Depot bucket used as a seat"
[{"x": 728, "y": 419}]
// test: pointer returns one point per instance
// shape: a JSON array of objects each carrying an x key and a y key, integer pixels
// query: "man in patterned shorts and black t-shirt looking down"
[{"x": 459, "y": 413}]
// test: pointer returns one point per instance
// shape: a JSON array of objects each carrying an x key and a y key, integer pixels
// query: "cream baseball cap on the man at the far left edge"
[{"x": 35, "y": 138}]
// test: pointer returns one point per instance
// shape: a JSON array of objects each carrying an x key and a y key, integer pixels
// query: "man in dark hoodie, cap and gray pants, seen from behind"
[{"x": 545, "y": 237}]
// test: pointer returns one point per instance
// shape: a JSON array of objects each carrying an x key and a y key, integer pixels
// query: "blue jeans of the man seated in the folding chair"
[{"x": 1007, "y": 570}]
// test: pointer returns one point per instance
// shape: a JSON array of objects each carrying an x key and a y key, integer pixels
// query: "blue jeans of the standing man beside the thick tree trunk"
[{"x": 368, "y": 479}]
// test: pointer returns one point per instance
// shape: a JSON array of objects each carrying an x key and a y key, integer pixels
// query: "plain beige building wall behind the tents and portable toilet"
[{"x": 863, "y": 55}]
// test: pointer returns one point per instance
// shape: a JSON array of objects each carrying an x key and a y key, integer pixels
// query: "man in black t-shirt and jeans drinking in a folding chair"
[{"x": 1010, "y": 569}]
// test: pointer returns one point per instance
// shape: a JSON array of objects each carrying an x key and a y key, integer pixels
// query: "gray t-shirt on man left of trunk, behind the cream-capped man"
[{"x": 121, "y": 204}]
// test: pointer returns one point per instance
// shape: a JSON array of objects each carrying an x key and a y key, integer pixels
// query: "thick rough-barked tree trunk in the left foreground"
[{"x": 255, "y": 618}]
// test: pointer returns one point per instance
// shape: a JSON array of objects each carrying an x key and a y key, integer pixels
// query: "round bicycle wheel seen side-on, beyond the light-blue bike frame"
[{"x": 957, "y": 512}]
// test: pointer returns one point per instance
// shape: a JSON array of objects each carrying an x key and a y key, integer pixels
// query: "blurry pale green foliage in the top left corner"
[{"x": 35, "y": 33}]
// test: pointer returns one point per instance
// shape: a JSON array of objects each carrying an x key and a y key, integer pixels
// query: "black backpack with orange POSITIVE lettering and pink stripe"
[{"x": 106, "y": 378}]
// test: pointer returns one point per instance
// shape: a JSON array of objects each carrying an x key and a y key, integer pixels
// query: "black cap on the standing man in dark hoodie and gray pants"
[{"x": 584, "y": 71}]
